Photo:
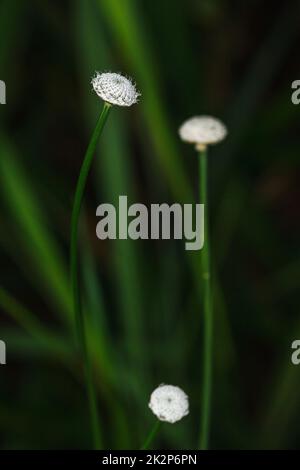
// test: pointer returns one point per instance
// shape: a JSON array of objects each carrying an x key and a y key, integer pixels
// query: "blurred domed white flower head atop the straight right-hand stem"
[{"x": 202, "y": 131}]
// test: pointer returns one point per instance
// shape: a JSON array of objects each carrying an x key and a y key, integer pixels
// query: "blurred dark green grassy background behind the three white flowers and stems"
[{"x": 234, "y": 60}]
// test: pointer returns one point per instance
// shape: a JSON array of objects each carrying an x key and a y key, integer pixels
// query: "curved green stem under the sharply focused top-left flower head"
[{"x": 79, "y": 318}]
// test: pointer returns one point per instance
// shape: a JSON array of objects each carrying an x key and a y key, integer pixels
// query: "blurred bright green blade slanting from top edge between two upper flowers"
[{"x": 125, "y": 25}]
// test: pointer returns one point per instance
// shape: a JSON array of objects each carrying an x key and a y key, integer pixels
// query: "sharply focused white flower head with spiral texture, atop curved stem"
[{"x": 115, "y": 89}]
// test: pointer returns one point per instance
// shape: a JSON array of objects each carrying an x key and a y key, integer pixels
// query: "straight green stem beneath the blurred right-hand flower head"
[{"x": 207, "y": 310}]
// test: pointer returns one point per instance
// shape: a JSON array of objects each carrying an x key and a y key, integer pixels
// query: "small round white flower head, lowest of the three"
[{"x": 169, "y": 403}]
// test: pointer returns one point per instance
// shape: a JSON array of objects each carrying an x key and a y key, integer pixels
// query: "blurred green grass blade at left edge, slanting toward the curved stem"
[{"x": 31, "y": 230}]
